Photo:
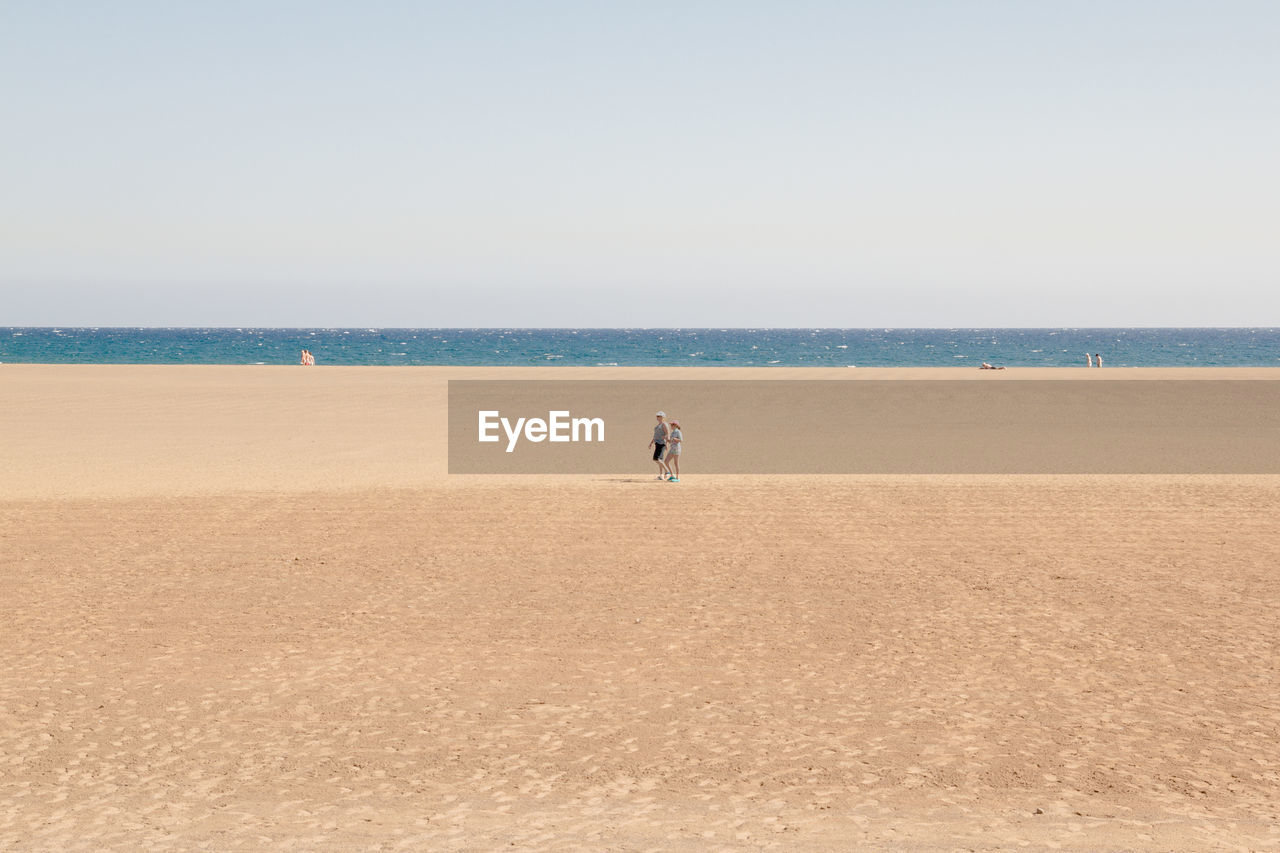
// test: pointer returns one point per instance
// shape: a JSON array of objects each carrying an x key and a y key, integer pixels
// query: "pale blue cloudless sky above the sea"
[{"x": 627, "y": 165}]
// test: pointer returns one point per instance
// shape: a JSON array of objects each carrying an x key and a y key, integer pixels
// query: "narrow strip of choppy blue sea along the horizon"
[{"x": 1139, "y": 348}]
